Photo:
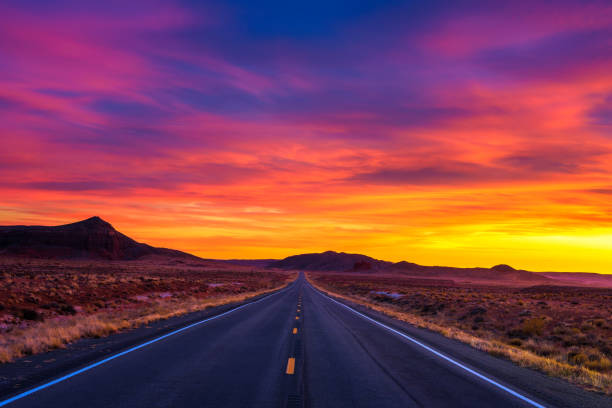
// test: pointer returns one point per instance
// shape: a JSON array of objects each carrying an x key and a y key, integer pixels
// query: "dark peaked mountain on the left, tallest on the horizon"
[{"x": 92, "y": 238}]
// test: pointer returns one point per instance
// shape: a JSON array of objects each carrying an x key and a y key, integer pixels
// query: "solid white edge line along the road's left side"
[{"x": 155, "y": 340}]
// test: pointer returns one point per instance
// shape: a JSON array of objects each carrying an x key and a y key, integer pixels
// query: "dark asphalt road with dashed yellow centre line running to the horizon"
[{"x": 298, "y": 348}]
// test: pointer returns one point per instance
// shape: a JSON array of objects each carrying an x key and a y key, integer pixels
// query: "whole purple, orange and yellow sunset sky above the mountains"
[{"x": 462, "y": 133}]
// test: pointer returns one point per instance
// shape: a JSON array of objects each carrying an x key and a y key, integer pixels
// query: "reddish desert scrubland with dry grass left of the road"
[{"x": 46, "y": 304}]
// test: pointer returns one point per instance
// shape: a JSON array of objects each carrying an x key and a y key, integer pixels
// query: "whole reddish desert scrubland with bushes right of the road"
[{"x": 562, "y": 331}]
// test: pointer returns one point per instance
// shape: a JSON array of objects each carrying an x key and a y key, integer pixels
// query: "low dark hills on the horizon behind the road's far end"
[{"x": 342, "y": 262}]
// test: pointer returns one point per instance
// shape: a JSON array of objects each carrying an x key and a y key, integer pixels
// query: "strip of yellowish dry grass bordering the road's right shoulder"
[{"x": 589, "y": 370}]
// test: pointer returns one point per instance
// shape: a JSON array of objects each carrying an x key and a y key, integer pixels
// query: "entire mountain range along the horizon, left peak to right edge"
[{"x": 95, "y": 238}]
